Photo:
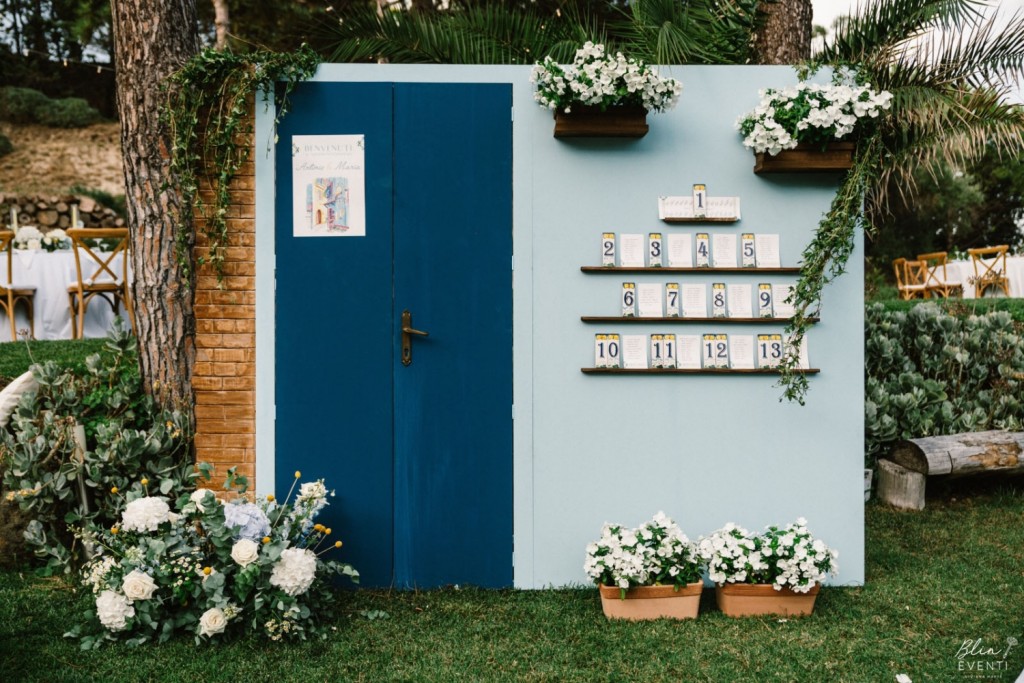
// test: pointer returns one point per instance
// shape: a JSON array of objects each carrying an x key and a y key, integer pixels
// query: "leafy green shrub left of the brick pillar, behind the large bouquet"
[{"x": 127, "y": 440}]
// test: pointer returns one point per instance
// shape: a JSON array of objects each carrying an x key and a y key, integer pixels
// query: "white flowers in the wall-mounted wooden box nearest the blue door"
[{"x": 598, "y": 79}]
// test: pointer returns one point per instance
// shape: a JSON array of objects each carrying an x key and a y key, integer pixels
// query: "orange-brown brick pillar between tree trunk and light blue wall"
[{"x": 225, "y": 376}]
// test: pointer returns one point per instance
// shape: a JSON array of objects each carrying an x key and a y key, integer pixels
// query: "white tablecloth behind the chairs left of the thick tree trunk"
[{"x": 51, "y": 274}]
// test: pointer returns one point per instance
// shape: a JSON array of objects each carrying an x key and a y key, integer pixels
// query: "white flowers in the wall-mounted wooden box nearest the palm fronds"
[{"x": 810, "y": 113}]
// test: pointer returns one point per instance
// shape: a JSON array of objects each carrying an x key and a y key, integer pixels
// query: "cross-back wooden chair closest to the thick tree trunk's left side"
[{"x": 105, "y": 283}]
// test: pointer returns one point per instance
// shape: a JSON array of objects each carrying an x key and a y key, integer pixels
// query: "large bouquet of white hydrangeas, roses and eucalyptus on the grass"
[{"x": 211, "y": 569}]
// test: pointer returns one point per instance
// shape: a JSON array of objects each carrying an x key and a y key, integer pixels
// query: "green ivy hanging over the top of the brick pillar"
[{"x": 207, "y": 115}]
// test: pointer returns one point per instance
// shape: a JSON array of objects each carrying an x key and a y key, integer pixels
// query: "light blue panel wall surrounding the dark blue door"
[{"x": 596, "y": 449}]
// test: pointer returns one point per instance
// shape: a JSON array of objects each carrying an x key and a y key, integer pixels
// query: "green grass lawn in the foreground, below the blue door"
[{"x": 935, "y": 579}]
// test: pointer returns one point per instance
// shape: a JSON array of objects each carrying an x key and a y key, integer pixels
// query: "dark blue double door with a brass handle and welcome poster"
[{"x": 419, "y": 453}]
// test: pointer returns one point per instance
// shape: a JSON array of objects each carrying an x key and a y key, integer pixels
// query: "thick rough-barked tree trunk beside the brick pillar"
[{"x": 152, "y": 39}]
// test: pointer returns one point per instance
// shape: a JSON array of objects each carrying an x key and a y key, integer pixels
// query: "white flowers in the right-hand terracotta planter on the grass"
[{"x": 790, "y": 558}]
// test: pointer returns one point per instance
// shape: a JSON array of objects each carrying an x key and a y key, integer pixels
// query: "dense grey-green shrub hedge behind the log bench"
[{"x": 929, "y": 373}]
